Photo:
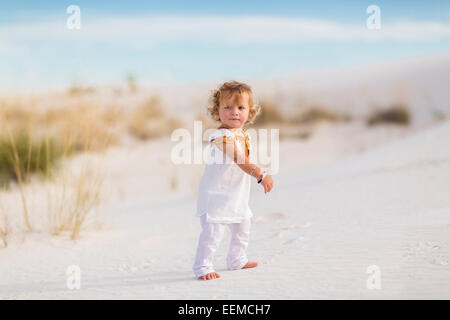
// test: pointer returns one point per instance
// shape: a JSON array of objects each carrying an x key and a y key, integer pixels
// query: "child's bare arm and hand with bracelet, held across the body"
[{"x": 228, "y": 146}]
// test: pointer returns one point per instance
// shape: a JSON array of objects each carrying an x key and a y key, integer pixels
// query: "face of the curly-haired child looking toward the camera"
[{"x": 233, "y": 110}]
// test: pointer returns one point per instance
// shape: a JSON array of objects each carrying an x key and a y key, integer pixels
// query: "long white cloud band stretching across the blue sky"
[{"x": 150, "y": 30}]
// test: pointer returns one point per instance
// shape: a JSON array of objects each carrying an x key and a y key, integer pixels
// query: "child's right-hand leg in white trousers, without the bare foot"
[{"x": 240, "y": 234}]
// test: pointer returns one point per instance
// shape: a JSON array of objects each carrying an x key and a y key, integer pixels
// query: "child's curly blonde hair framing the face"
[{"x": 227, "y": 89}]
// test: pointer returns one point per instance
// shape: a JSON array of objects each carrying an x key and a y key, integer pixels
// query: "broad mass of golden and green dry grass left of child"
[{"x": 37, "y": 139}]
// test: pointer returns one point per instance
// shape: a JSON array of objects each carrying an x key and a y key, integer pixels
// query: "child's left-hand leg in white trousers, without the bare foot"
[{"x": 207, "y": 244}]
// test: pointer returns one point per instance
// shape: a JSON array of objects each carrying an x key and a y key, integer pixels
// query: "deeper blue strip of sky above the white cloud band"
[{"x": 339, "y": 10}]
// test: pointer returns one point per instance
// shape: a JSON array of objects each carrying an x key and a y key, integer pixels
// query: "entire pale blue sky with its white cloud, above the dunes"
[{"x": 184, "y": 41}]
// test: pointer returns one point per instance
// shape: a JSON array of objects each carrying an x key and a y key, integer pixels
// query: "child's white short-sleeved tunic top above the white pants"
[{"x": 224, "y": 189}]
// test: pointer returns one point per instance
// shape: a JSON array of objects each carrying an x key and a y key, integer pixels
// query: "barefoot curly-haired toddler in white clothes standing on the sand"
[{"x": 224, "y": 190}]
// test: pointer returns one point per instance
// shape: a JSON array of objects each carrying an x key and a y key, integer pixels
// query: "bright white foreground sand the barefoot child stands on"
[{"x": 314, "y": 235}]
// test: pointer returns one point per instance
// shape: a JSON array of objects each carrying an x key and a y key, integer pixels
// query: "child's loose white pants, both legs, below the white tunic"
[{"x": 210, "y": 238}]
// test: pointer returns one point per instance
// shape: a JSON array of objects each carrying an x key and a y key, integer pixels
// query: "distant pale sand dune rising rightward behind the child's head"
[{"x": 419, "y": 83}]
